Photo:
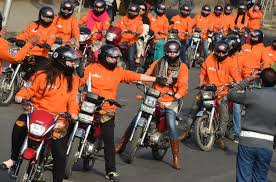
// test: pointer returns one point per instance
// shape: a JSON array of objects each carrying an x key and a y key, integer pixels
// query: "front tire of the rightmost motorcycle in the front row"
[{"x": 202, "y": 123}]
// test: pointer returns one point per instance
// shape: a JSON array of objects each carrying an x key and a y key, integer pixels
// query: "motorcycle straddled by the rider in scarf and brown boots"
[{"x": 150, "y": 127}]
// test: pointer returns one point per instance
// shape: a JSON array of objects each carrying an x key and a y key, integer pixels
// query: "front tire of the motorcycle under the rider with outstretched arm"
[{"x": 71, "y": 158}]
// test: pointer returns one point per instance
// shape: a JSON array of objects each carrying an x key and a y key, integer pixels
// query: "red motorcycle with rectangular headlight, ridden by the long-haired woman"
[{"x": 35, "y": 152}]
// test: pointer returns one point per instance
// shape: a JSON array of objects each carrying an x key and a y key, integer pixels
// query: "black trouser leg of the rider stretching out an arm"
[{"x": 107, "y": 130}]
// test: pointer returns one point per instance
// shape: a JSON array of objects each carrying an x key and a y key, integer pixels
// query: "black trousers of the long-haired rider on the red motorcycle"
[{"x": 59, "y": 147}]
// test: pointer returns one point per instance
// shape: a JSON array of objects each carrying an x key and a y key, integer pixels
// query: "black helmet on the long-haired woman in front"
[{"x": 63, "y": 54}]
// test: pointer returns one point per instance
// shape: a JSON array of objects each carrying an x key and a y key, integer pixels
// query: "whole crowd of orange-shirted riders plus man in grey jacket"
[{"x": 238, "y": 57}]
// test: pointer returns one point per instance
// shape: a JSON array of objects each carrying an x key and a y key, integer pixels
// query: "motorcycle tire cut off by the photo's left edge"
[{"x": 6, "y": 96}]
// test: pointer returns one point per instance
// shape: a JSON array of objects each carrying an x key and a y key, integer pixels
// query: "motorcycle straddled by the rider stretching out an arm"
[{"x": 85, "y": 140}]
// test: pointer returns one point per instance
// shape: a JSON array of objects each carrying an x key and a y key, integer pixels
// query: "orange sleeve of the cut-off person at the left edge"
[{"x": 7, "y": 53}]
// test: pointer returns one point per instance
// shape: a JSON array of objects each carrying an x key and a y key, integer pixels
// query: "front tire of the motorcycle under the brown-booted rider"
[{"x": 132, "y": 146}]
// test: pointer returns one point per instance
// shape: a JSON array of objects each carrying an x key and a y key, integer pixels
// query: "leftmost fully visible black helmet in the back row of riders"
[{"x": 46, "y": 16}]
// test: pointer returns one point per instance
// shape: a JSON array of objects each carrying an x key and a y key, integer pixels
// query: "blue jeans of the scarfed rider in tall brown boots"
[{"x": 170, "y": 122}]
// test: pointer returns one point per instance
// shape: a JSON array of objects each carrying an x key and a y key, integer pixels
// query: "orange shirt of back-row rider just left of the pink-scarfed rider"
[{"x": 67, "y": 28}]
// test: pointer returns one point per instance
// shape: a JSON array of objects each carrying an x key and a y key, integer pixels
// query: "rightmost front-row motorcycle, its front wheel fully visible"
[{"x": 207, "y": 121}]
